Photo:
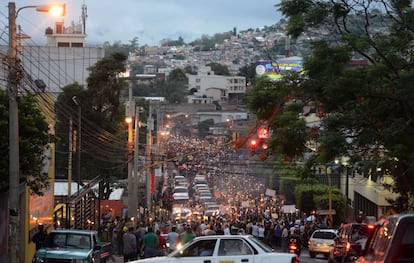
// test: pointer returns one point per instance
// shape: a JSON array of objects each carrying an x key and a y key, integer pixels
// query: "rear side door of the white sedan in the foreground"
[{"x": 232, "y": 250}]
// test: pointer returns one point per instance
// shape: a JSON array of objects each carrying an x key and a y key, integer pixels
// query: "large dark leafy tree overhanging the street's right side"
[{"x": 367, "y": 110}]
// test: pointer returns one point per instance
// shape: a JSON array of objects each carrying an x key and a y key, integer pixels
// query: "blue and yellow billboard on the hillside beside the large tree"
[{"x": 274, "y": 70}]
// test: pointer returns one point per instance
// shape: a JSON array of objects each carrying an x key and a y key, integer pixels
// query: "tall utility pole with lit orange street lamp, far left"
[{"x": 14, "y": 161}]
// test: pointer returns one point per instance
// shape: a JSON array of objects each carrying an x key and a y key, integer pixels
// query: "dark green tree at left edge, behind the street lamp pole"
[{"x": 33, "y": 142}]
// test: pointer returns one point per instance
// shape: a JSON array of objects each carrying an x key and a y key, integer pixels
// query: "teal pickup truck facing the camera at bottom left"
[{"x": 70, "y": 245}]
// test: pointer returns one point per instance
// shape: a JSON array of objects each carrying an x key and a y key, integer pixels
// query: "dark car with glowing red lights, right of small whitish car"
[{"x": 350, "y": 243}]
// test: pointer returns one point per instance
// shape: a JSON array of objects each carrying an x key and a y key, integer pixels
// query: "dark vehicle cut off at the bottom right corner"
[{"x": 391, "y": 241}]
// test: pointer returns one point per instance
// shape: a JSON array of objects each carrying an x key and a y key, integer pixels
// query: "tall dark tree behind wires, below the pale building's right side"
[{"x": 104, "y": 133}]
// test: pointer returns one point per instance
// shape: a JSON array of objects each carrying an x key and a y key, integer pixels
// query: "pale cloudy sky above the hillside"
[{"x": 149, "y": 20}]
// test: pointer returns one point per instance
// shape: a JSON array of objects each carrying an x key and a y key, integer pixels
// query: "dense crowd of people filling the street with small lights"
[{"x": 244, "y": 207}]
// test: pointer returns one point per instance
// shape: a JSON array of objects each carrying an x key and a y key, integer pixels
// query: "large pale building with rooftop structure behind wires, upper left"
[{"x": 63, "y": 61}]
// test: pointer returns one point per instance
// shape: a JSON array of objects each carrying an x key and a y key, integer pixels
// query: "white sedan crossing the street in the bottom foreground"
[{"x": 225, "y": 249}]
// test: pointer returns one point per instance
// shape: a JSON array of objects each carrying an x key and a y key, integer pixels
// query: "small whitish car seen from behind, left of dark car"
[{"x": 321, "y": 242}]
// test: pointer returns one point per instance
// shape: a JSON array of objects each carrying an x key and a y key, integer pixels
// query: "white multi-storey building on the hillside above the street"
[{"x": 210, "y": 87}]
